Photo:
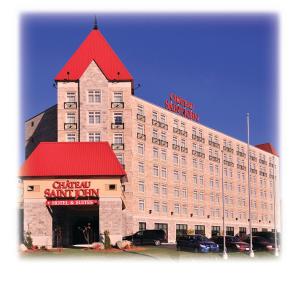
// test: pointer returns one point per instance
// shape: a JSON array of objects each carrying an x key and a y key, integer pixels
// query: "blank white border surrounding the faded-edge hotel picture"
[{"x": 74, "y": 279}]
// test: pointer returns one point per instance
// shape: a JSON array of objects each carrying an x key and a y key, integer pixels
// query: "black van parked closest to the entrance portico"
[{"x": 147, "y": 237}]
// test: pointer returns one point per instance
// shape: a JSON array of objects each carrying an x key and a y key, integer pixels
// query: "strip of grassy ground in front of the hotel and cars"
[{"x": 149, "y": 253}]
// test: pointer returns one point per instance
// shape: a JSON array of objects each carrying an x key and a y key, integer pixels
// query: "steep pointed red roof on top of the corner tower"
[{"x": 94, "y": 47}]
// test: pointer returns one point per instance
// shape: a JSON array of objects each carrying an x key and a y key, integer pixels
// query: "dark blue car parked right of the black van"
[{"x": 197, "y": 243}]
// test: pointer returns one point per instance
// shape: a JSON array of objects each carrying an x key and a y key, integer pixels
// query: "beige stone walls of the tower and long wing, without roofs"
[{"x": 194, "y": 196}]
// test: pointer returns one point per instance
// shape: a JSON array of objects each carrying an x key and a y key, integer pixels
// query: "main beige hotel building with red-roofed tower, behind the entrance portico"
[{"x": 174, "y": 164}]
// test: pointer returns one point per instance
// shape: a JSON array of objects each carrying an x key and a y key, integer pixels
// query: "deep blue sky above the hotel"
[{"x": 226, "y": 64}]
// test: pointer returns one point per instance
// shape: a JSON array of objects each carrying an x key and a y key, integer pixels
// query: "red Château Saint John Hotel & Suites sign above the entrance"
[{"x": 71, "y": 193}]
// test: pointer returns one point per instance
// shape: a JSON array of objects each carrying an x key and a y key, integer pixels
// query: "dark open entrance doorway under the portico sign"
[{"x": 75, "y": 225}]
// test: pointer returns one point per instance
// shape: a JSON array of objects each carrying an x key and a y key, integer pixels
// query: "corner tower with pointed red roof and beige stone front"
[{"x": 92, "y": 83}]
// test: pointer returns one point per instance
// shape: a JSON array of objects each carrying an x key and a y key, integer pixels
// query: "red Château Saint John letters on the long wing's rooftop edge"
[{"x": 181, "y": 106}]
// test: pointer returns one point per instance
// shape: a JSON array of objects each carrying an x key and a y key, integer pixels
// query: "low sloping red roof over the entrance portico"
[{"x": 72, "y": 159}]
